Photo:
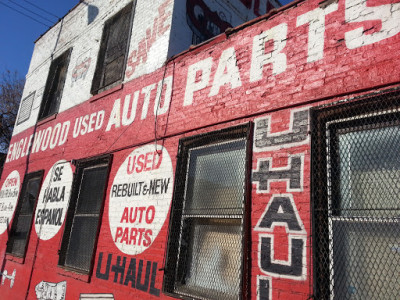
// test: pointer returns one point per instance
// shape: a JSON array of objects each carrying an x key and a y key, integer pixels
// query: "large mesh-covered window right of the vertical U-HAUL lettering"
[{"x": 356, "y": 165}]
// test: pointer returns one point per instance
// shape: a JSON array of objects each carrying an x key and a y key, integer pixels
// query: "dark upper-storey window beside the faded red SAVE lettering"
[{"x": 111, "y": 60}]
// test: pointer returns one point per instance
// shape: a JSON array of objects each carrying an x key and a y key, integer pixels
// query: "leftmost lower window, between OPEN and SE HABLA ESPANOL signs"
[{"x": 22, "y": 223}]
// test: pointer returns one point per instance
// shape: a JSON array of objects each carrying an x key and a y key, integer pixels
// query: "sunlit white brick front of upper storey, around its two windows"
[{"x": 74, "y": 31}]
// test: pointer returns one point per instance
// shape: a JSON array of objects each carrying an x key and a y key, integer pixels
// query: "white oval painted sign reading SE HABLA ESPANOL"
[{"x": 53, "y": 200}]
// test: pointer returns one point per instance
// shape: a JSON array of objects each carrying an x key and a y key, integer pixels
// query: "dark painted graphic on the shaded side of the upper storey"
[{"x": 204, "y": 21}]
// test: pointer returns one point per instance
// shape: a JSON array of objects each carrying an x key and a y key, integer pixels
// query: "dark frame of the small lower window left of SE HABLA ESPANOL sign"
[{"x": 27, "y": 178}]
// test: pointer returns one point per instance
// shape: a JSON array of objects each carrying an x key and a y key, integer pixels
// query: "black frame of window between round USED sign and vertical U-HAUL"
[{"x": 244, "y": 131}]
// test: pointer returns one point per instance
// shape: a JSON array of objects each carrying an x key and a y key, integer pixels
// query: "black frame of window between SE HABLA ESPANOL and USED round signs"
[{"x": 81, "y": 166}]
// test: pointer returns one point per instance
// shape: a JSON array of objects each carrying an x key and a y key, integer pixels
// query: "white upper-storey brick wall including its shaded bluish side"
[{"x": 159, "y": 29}]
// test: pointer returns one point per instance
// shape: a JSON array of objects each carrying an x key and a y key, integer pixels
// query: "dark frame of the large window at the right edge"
[{"x": 356, "y": 114}]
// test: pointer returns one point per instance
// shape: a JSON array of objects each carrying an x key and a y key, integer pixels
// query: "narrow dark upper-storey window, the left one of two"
[{"x": 55, "y": 85}]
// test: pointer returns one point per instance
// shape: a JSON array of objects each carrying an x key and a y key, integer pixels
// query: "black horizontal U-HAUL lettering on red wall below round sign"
[{"x": 136, "y": 273}]
